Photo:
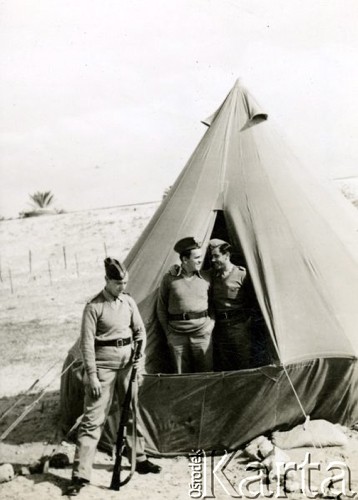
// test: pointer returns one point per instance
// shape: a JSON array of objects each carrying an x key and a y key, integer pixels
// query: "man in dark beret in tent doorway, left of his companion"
[{"x": 182, "y": 310}]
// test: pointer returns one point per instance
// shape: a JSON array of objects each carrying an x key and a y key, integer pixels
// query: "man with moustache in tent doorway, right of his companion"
[{"x": 229, "y": 285}]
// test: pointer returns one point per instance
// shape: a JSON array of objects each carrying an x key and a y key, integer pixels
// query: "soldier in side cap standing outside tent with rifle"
[{"x": 111, "y": 323}]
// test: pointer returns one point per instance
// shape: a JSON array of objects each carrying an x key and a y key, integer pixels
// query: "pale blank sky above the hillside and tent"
[{"x": 101, "y": 102}]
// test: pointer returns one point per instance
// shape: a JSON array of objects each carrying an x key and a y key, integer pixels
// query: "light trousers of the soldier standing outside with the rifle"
[{"x": 94, "y": 417}]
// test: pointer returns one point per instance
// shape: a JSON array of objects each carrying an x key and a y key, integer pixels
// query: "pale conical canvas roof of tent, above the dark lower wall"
[{"x": 305, "y": 277}]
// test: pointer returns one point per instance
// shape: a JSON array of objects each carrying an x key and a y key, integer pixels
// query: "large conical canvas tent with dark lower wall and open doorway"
[{"x": 299, "y": 242}]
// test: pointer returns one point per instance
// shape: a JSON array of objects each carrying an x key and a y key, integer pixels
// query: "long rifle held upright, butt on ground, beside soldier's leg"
[{"x": 116, "y": 482}]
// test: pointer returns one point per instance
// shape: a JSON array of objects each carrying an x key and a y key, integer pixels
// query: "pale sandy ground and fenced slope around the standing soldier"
[{"x": 49, "y": 266}]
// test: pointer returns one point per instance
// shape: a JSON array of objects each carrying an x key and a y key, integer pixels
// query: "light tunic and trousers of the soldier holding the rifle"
[{"x": 105, "y": 318}]
